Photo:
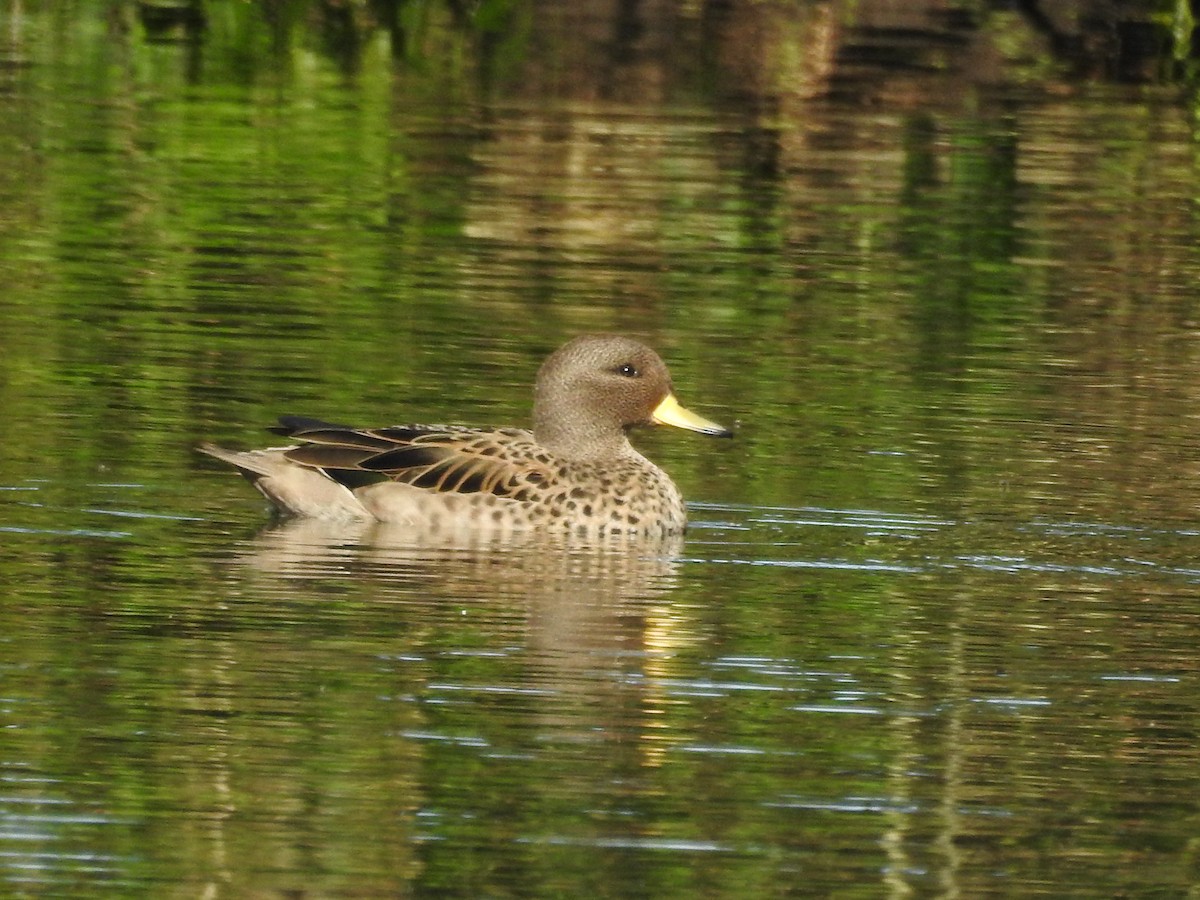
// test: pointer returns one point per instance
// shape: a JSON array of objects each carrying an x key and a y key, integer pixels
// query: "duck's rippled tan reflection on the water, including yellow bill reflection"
[{"x": 583, "y": 615}]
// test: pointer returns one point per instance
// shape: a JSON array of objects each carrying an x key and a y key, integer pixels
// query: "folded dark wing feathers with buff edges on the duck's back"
[{"x": 445, "y": 459}]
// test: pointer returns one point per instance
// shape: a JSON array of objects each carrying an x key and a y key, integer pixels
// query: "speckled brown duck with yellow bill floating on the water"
[{"x": 577, "y": 471}]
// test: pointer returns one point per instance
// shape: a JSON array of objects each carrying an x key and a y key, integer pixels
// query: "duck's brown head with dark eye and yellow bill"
[{"x": 593, "y": 389}]
